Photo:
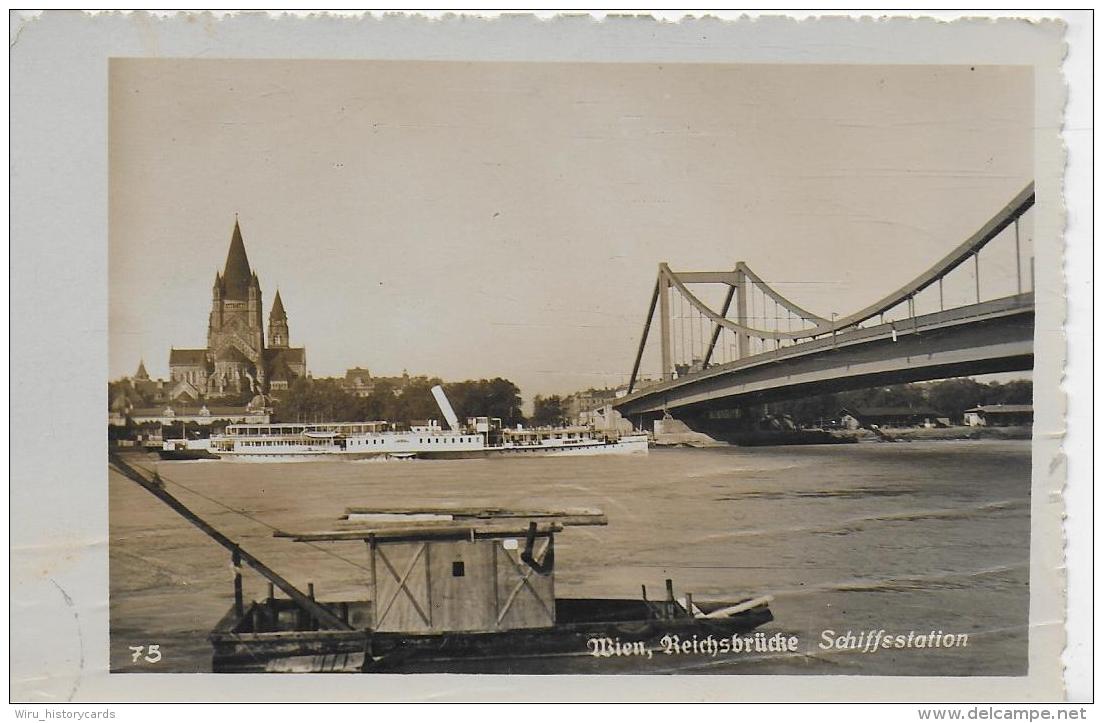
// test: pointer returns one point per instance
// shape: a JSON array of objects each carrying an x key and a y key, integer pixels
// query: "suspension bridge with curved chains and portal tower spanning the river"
[{"x": 761, "y": 347}]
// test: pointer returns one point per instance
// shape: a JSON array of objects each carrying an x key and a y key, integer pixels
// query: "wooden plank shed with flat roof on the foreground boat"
[{"x": 445, "y": 570}]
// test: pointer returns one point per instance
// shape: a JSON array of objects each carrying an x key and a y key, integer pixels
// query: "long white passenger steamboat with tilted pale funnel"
[{"x": 478, "y": 438}]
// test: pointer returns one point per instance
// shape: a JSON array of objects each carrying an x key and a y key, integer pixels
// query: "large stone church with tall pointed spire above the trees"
[{"x": 237, "y": 361}]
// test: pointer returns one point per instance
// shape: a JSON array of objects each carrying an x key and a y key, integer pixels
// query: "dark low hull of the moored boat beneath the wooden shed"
[{"x": 588, "y": 633}]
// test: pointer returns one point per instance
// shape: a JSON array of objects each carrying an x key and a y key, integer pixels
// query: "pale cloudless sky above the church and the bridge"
[{"x": 479, "y": 220}]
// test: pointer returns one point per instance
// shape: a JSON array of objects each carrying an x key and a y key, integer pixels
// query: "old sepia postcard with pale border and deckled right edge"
[{"x": 715, "y": 352}]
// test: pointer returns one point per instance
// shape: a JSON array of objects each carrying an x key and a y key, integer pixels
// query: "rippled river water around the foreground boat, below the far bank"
[{"x": 906, "y": 538}]
